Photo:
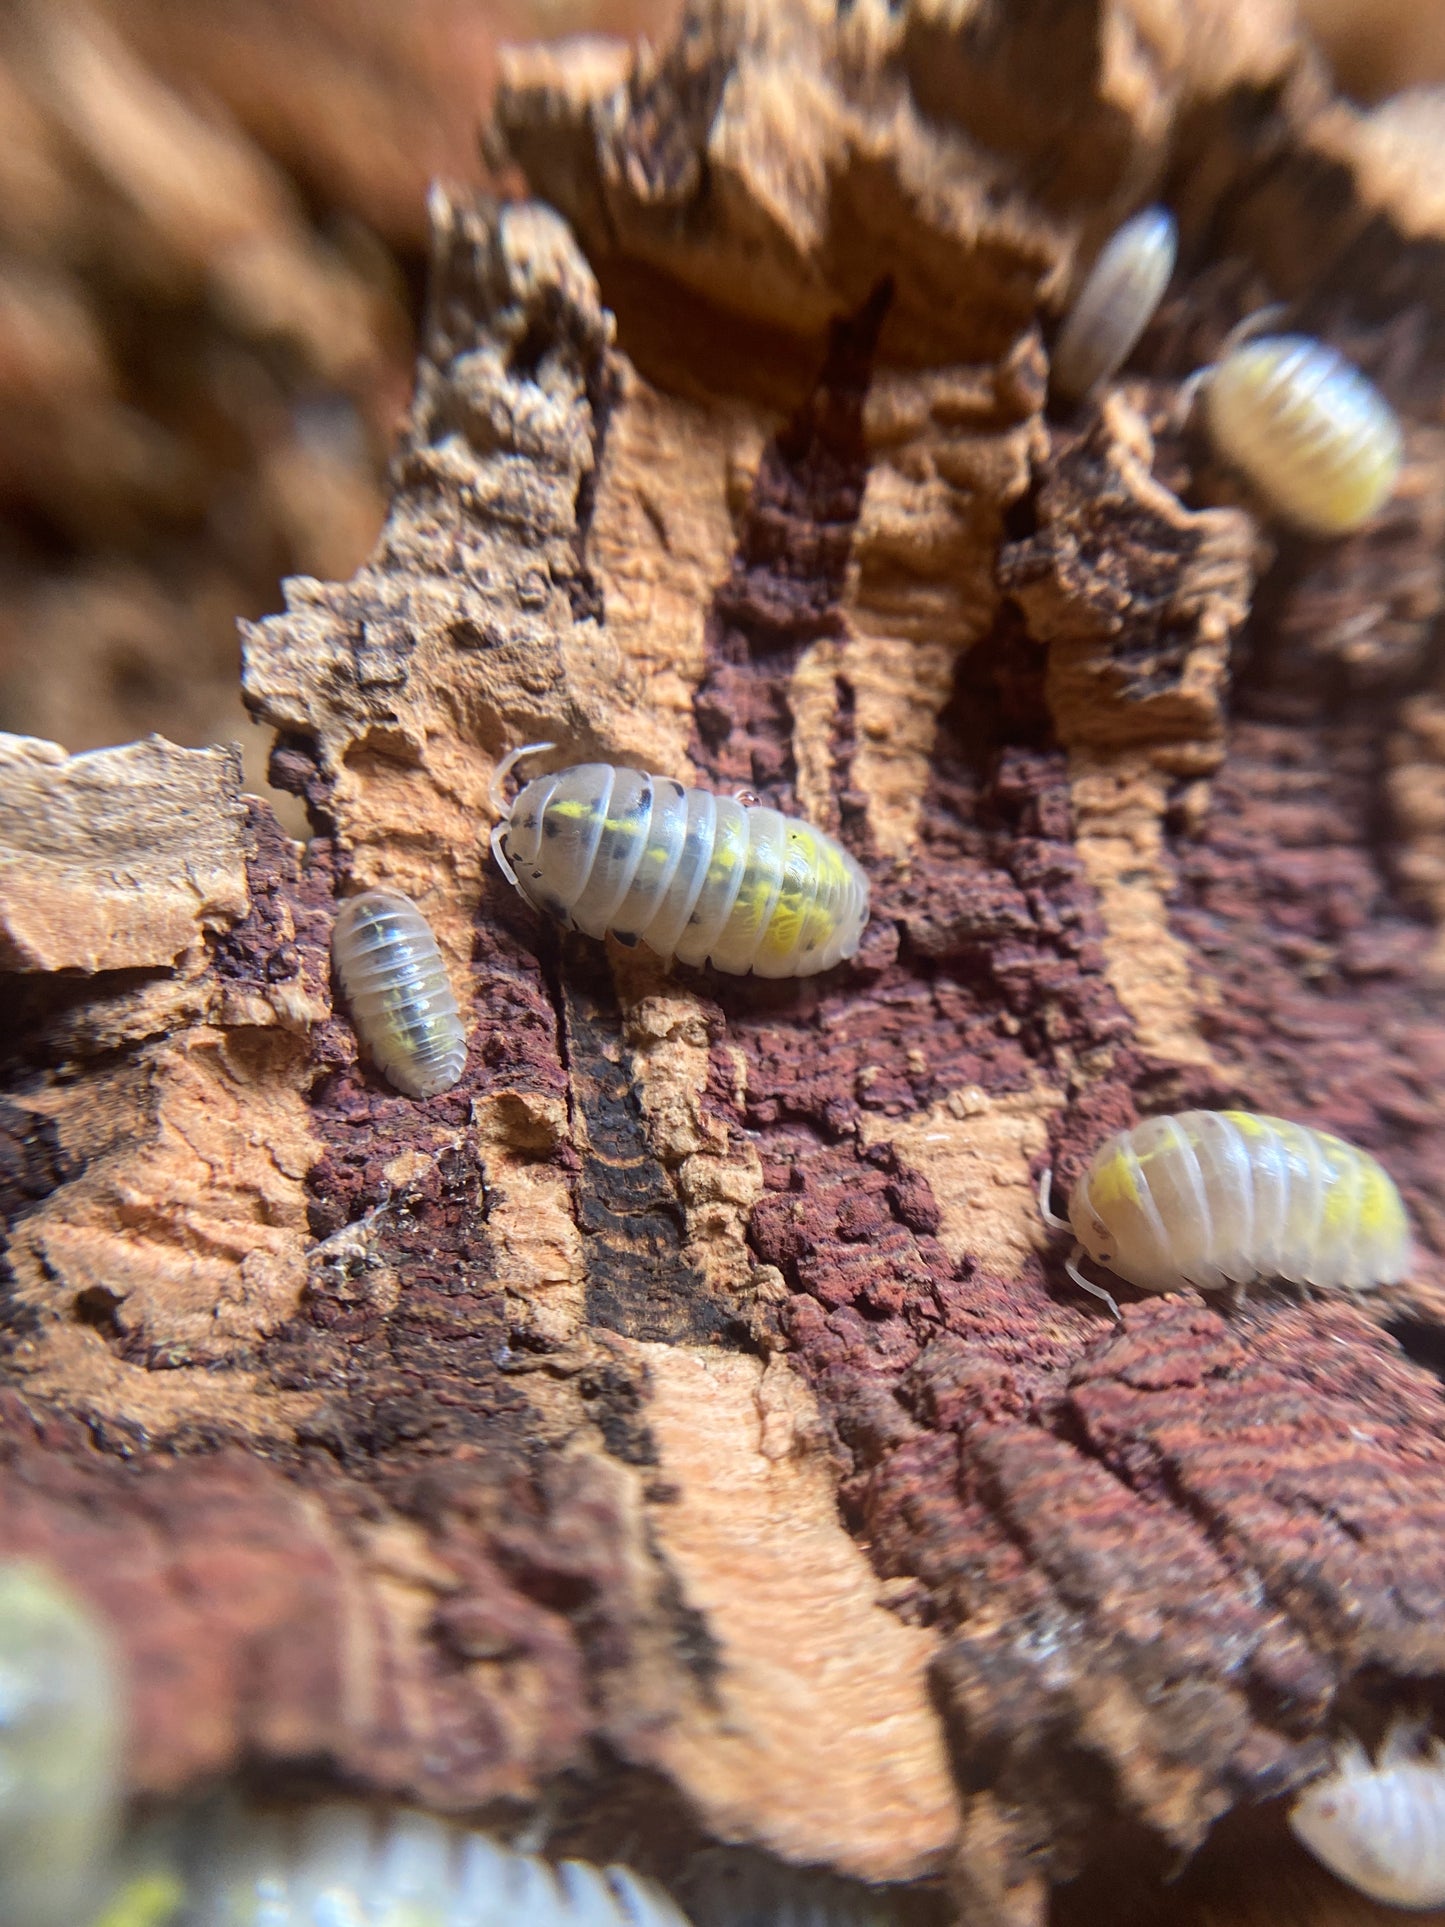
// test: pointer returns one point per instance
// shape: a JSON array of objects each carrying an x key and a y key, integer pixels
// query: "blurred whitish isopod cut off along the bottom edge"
[{"x": 344, "y": 1862}]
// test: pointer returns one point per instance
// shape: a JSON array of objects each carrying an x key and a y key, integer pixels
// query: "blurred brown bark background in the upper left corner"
[{"x": 213, "y": 238}]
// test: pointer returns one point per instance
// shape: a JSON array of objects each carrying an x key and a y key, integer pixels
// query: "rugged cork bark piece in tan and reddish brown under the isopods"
[{"x": 685, "y": 1421}]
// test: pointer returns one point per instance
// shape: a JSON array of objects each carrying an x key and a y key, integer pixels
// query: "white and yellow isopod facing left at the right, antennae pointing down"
[{"x": 1222, "y": 1198}]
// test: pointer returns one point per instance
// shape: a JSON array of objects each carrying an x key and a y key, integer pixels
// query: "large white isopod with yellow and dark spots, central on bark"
[{"x": 695, "y": 876}]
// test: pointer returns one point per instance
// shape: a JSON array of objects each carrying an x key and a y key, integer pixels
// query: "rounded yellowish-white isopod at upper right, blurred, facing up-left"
[{"x": 1317, "y": 440}]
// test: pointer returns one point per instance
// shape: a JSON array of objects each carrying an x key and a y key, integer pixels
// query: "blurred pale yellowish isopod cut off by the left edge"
[{"x": 61, "y": 1737}]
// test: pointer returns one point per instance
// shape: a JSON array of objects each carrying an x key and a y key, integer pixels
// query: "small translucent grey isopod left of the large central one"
[{"x": 402, "y": 1001}]
